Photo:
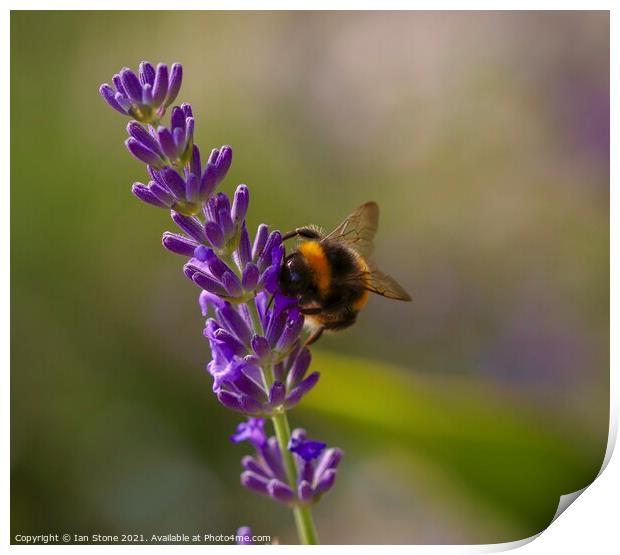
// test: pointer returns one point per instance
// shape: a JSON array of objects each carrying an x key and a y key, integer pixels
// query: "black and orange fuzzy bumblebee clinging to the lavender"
[{"x": 331, "y": 275}]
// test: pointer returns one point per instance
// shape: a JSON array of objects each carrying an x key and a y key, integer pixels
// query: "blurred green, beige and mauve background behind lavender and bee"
[{"x": 464, "y": 415}]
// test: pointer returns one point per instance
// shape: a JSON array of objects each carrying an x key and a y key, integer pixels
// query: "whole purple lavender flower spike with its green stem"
[{"x": 259, "y": 363}]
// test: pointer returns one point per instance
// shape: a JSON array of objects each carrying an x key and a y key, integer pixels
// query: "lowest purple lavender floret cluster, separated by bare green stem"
[{"x": 264, "y": 472}]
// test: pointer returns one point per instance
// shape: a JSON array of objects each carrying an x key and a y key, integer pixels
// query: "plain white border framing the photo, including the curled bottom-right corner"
[{"x": 590, "y": 523}]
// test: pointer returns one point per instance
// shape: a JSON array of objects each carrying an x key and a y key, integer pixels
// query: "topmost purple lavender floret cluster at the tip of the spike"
[{"x": 145, "y": 96}]
